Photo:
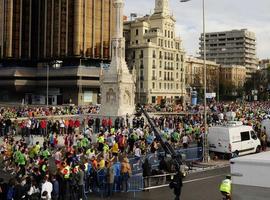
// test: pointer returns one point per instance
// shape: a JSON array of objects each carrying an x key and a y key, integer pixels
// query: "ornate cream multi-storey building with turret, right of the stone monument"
[{"x": 157, "y": 55}]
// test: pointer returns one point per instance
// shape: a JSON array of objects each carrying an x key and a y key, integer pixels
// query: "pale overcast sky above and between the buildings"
[{"x": 220, "y": 15}]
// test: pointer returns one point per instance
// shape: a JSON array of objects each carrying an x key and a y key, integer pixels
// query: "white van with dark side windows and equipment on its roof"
[{"x": 233, "y": 139}]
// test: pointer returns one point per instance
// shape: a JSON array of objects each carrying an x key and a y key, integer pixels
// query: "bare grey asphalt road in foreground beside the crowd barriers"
[{"x": 197, "y": 186}]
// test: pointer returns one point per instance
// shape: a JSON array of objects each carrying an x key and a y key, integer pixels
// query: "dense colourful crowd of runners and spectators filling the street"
[{"x": 93, "y": 153}]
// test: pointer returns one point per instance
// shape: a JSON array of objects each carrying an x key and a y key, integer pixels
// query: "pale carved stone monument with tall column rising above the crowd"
[{"x": 117, "y": 83}]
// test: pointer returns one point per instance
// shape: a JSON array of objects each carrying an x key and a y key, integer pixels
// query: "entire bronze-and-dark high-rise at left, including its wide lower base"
[{"x": 34, "y": 33}]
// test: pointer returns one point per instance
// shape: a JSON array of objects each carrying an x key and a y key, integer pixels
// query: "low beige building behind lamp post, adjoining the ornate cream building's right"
[{"x": 195, "y": 74}]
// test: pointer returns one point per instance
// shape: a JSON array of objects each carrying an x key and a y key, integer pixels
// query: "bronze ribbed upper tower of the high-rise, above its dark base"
[{"x": 38, "y": 29}]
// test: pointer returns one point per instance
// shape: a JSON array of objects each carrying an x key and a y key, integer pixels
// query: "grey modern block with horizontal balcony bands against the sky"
[{"x": 235, "y": 47}]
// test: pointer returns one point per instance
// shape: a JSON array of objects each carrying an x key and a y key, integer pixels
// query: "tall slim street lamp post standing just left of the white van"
[{"x": 205, "y": 141}]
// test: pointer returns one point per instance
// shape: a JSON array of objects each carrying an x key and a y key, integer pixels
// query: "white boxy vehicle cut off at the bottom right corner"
[{"x": 250, "y": 177}]
